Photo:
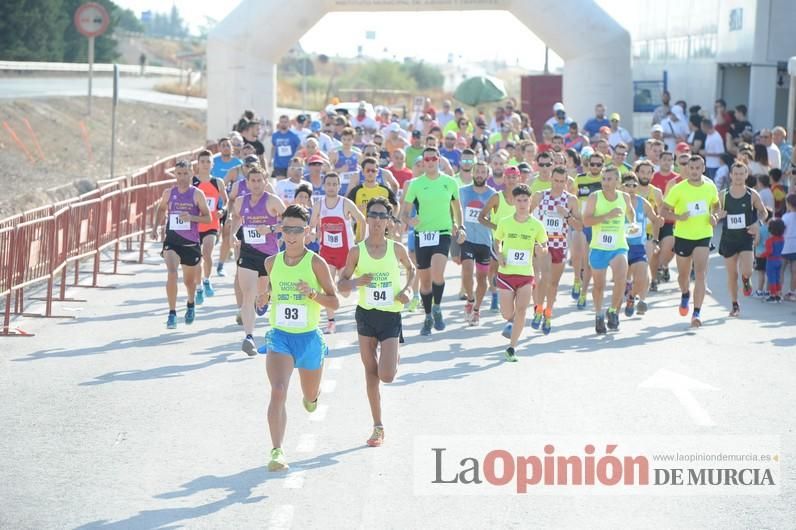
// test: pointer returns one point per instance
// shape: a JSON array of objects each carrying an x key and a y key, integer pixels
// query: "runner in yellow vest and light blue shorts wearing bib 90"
[{"x": 606, "y": 211}]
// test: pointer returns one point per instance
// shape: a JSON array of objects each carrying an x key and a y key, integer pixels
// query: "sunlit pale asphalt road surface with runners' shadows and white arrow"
[{"x": 111, "y": 421}]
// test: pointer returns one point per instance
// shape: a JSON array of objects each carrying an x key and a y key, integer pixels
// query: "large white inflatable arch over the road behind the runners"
[{"x": 244, "y": 49}]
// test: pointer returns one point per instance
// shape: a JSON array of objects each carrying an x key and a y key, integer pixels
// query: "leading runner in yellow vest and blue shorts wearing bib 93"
[{"x": 299, "y": 283}]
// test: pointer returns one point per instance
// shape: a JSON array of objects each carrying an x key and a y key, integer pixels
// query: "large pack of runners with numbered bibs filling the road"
[{"x": 386, "y": 218}]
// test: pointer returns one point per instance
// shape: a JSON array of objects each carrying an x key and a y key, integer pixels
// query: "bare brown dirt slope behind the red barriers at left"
[{"x": 70, "y": 166}]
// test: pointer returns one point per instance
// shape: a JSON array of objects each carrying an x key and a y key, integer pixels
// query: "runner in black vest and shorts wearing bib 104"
[{"x": 740, "y": 207}]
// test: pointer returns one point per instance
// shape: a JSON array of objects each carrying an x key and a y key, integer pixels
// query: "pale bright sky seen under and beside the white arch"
[{"x": 325, "y": 37}]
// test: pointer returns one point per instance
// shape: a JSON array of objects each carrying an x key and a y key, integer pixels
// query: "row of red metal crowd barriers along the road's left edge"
[{"x": 39, "y": 245}]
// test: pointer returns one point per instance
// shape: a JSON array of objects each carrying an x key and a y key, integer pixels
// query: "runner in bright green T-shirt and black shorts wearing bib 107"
[{"x": 439, "y": 217}]
